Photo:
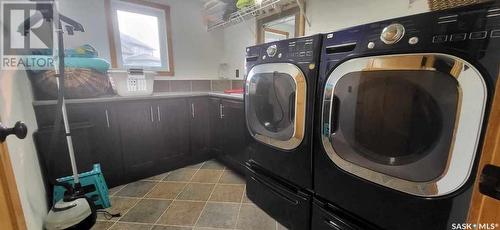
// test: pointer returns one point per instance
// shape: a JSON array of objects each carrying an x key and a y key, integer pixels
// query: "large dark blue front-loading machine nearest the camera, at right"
[{"x": 400, "y": 116}]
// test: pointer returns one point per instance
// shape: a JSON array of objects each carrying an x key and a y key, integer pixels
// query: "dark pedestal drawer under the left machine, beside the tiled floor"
[{"x": 288, "y": 206}]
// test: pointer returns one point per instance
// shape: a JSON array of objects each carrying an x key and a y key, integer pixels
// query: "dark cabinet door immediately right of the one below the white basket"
[{"x": 173, "y": 118}]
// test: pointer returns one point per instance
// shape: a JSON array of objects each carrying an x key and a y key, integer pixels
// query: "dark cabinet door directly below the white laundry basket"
[{"x": 138, "y": 140}]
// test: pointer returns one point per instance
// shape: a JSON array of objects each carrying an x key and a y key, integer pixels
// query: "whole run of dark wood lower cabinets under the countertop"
[{"x": 136, "y": 139}]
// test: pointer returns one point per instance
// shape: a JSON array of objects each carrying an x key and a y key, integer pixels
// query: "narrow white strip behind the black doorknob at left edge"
[{"x": 15, "y": 105}]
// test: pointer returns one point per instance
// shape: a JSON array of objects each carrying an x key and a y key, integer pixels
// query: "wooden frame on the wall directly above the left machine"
[{"x": 289, "y": 11}]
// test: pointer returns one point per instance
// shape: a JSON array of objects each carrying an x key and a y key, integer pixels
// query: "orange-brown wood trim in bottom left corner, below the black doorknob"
[{"x": 11, "y": 213}]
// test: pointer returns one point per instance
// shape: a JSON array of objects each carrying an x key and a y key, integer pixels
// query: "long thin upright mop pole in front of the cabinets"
[{"x": 60, "y": 85}]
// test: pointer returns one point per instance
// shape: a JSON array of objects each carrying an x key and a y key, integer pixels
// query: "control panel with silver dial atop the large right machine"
[{"x": 467, "y": 29}]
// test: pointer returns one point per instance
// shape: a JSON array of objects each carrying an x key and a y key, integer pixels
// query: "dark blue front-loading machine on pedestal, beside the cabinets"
[{"x": 279, "y": 98}]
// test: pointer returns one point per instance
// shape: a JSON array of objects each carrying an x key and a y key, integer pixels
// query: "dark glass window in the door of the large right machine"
[{"x": 396, "y": 122}]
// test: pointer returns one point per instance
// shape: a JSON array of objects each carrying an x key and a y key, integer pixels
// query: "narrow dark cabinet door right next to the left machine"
[{"x": 235, "y": 131}]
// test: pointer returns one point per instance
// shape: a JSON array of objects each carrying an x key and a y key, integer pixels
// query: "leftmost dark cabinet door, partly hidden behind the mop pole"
[{"x": 95, "y": 140}]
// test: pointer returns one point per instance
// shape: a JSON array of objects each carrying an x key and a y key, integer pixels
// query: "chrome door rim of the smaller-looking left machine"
[{"x": 300, "y": 106}]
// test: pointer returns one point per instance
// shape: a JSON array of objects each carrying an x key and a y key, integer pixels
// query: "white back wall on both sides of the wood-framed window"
[{"x": 197, "y": 53}]
